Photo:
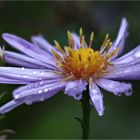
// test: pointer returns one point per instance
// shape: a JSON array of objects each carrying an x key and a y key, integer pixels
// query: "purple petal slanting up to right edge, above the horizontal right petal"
[{"x": 131, "y": 57}]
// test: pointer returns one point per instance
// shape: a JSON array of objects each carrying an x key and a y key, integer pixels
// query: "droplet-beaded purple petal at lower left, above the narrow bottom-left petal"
[{"x": 39, "y": 90}]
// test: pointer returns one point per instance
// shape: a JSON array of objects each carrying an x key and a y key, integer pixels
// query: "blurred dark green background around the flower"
[{"x": 54, "y": 118}]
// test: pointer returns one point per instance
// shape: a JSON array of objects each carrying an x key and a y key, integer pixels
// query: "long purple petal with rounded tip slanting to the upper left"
[{"x": 29, "y": 49}]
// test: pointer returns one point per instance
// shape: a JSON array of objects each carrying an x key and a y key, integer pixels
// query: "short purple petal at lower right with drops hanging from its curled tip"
[{"x": 115, "y": 87}]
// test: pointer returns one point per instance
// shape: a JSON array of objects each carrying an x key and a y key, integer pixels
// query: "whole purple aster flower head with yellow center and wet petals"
[{"x": 43, "y": 70}]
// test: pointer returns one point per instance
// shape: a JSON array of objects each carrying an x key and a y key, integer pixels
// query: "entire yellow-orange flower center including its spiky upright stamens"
[{"x": 84, "y": 62}]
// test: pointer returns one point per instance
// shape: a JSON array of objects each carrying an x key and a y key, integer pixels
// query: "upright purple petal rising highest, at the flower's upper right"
[{"x": 120, "y": 41}]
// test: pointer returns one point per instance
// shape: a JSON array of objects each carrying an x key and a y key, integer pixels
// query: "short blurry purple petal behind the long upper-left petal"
[{"x": 41, "y": 42}]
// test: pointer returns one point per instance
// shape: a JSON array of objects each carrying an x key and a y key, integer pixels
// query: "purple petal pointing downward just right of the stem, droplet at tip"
[{"x": 96, "y": 98}]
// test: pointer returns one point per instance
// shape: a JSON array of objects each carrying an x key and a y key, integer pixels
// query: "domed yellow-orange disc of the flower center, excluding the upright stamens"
[{"x": 84, "y": 63}]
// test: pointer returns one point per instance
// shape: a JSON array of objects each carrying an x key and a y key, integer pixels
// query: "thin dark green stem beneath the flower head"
[{"x": 86, "y": 109}]
